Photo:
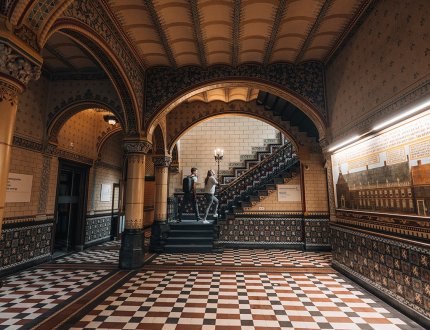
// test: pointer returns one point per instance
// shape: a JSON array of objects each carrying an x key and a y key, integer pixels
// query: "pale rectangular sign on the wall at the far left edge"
[{"x": 18, "y": 188}]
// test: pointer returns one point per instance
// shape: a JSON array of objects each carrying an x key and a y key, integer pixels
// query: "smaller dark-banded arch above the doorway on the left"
[{"x": 67, "y": 109}]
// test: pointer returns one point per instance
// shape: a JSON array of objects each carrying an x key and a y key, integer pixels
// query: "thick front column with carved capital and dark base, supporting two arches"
[{"x": 131, "y": 254}]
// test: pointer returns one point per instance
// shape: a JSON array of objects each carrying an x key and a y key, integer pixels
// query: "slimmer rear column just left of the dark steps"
[{"x": 161, "y": 193}]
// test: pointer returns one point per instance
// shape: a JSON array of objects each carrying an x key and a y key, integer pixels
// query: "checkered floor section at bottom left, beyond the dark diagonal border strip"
[{"x": 28, "y": 295}]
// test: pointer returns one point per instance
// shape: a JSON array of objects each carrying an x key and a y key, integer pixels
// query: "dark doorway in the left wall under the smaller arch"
[{"x": 70, "y": 207}]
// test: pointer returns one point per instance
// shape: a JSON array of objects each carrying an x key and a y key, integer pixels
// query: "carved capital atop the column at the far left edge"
[{"x": 16, "y": 66}]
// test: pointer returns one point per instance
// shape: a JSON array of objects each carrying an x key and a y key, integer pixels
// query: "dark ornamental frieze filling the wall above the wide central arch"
[{"x": 305, "y": 79}]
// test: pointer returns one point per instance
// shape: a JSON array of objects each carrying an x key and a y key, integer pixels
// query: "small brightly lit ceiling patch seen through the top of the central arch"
[{"x": 226, "y": 95}]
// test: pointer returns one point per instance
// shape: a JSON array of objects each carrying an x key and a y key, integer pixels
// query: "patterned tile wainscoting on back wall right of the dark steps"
[{"x": 266, "y": 230}]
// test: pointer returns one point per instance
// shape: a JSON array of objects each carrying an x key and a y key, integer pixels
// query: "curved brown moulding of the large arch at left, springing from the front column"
[{"x": 92, "y": 43}]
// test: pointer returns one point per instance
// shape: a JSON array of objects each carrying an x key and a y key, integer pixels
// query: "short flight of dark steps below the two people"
[{"x": 190, "y": 236}]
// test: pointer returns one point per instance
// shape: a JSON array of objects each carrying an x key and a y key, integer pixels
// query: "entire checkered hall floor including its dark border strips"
[{"x": 274, "y": 289}]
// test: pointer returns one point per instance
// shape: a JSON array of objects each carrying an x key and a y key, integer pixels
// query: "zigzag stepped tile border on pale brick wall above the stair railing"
[{"x": 249, "y": 161}]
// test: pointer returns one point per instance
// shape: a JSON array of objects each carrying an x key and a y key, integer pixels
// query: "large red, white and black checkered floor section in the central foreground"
[{"x": 221, "y": 300}]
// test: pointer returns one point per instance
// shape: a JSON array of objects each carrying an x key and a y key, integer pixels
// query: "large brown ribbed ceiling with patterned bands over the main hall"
[{"x": 178, "y": 33}]
